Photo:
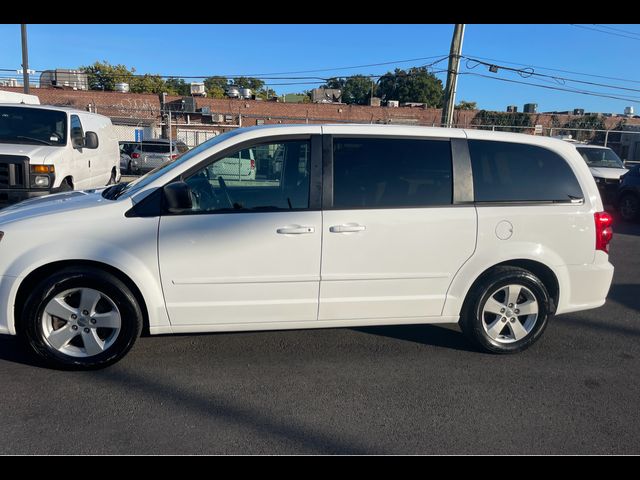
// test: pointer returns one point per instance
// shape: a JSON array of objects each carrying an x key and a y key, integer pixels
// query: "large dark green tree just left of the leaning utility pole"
[{"x": 414, "y": 85}]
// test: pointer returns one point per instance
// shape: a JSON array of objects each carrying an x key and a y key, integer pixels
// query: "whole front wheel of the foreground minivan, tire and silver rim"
[{"x": 93, "y": 339}]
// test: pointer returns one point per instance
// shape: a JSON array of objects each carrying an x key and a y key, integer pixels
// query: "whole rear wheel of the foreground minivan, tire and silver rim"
[{"x": 509, "y": 330}]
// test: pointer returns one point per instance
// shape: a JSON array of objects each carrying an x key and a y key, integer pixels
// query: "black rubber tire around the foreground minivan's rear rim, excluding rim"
[{"x": 482, "y": 293}]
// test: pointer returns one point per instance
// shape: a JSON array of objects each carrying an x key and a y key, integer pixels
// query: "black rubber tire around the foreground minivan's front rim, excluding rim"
[{"x": 30, "y": 326}]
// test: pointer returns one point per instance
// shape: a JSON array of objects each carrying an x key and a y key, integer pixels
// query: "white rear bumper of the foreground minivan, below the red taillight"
[{"x": 588, "y": 285}]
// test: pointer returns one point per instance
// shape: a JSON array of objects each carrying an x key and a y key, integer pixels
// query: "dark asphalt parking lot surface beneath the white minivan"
[{"x": 382, "y": 390}]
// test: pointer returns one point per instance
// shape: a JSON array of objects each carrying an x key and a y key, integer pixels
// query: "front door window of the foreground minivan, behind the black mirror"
[{"x": 271, "y": 176}]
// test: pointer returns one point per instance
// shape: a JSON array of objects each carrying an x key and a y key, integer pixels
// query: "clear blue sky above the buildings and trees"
[{"x": 193, "y": 50}]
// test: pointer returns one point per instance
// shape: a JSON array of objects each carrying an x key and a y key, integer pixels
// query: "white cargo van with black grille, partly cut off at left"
[{"x": 46, "y": 149}]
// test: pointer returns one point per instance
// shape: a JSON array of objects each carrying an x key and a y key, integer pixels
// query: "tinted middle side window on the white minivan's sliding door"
[{"x": 388, "y": 173}]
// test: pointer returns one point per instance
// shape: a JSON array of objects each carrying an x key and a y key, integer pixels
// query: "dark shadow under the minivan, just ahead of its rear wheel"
[{"x": 433, "y": 335}]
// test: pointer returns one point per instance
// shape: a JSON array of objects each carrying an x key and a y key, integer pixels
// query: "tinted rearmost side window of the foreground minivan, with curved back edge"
[{"x": 504, "y": 172}]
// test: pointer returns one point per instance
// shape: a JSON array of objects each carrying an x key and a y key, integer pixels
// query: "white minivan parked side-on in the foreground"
[{"x": 361, "y": 225}]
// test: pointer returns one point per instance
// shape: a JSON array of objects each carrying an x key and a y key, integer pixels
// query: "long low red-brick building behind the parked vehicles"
[{"x": 130, "y": 111}]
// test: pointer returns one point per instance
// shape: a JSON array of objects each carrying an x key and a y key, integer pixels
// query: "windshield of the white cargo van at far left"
[{"x": 33, "y": 126}]
